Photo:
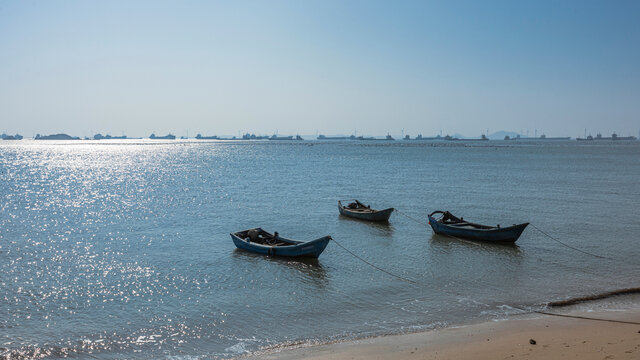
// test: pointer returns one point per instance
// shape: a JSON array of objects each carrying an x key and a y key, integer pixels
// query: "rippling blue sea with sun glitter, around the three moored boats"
[{"x": 121, "y": 249}]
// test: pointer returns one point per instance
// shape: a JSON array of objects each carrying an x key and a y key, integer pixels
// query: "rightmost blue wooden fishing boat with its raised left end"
[{"x": 450, "y": 225}]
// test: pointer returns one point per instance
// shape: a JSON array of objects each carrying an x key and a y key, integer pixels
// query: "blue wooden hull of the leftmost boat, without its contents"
[{"x": 311, "y": 249}]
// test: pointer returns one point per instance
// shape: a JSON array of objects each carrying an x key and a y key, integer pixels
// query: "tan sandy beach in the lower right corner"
[{"x": 528, "y": 337}]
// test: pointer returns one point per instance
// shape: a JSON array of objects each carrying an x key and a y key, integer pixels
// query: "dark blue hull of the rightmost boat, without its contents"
[{"x": 499, "y": 235}]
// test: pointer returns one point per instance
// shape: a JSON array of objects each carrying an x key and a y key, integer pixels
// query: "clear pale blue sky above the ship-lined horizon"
[{"x": 329, "y": 67}]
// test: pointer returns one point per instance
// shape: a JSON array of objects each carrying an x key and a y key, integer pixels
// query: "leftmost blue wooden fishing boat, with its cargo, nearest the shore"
[{"x": 262, "y": 242}]
